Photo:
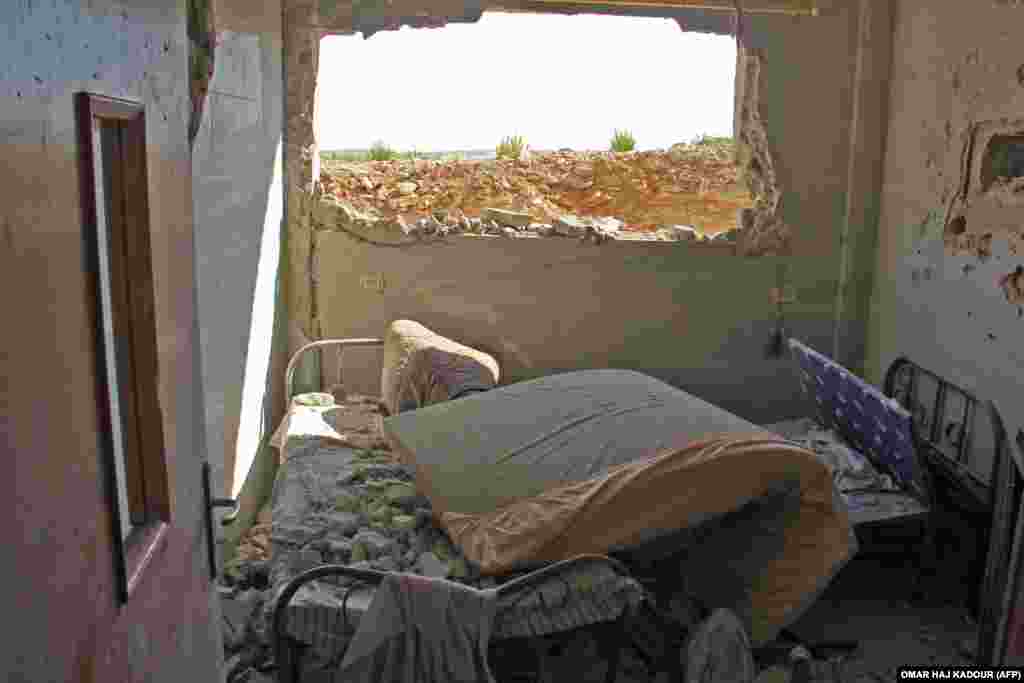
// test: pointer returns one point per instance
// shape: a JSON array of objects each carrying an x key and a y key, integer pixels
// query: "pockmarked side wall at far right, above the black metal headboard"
[{"x": 955, "y": 66}]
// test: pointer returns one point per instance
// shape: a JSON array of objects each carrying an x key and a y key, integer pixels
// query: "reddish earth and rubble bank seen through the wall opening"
[{"x": 695, "y": 186}]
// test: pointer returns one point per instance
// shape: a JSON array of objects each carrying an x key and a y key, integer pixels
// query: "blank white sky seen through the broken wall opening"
[{"x": 559, "y": 81}]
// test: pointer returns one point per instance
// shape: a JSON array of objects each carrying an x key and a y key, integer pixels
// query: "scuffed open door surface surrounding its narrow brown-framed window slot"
[{"x": 64, "y": 620}]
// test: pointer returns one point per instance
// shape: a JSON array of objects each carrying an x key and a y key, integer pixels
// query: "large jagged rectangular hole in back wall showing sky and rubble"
[{"x": 425, "y": 154}]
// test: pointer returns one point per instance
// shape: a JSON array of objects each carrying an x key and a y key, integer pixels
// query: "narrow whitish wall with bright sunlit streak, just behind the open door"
[{"x": 239, "y": 205}]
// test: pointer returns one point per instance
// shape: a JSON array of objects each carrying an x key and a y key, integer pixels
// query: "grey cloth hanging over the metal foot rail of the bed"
[{"x": 422, "y": 630}]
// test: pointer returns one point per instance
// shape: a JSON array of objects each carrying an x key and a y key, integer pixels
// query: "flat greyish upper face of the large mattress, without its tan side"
[{"x": 489, "y": 450}]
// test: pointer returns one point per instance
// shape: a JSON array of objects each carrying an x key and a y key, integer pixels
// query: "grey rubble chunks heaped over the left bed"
[{"x": 332, "y": 503}]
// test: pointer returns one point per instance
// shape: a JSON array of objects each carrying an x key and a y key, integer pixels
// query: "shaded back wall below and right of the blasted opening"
[{"x": 697, "y": 318}]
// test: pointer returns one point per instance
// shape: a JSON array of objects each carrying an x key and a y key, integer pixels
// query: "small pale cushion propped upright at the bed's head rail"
[{"x": 422, "y": 368}]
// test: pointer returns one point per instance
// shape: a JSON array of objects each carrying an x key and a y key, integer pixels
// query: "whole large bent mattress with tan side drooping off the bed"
[{"x": 598, "y": 461}]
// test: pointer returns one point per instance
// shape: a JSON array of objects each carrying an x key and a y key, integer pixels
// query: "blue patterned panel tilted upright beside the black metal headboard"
[{"x": 871, "y": 422}]
